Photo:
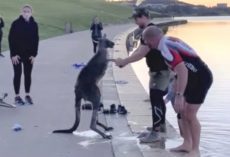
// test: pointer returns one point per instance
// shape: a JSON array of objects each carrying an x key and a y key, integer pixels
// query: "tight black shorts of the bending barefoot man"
[{"x": 198, "y": 86}]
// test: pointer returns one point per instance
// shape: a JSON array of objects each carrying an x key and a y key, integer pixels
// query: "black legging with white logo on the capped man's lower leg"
[{"x": 158, "y": 107}]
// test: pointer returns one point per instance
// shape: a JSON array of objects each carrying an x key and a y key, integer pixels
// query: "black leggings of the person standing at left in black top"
[{"x": 27, "y": 68}]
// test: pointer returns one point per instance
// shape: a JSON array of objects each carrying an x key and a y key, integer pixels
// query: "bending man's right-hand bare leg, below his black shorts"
[{"x": 195, "y": 128}]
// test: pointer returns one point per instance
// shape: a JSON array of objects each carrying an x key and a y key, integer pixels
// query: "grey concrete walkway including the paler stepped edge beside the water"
[{"x": 52, "y": 91}]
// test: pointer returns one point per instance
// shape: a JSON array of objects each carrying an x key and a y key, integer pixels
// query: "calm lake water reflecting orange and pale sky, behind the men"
[{"x": 210, "y": 37}]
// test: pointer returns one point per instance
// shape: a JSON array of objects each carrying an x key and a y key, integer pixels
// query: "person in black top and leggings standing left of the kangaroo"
[{"x": 23, "y": 42}]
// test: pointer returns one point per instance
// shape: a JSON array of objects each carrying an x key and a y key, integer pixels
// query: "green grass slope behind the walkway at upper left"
[{"x": 52, "y": 15}]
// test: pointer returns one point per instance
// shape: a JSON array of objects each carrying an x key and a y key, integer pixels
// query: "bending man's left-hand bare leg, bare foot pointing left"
[{"x": 187, "y": 144}]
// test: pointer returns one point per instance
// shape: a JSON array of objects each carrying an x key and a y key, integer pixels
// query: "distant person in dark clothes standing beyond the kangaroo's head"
[{"x": 96, "y": 29}]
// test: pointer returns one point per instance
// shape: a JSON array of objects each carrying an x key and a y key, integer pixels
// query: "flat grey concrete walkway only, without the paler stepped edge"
[{"x": 52, "y": 91}]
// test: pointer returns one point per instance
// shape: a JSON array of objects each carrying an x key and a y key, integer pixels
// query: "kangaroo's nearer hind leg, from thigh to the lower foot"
[{"x": 95, "y": 97}]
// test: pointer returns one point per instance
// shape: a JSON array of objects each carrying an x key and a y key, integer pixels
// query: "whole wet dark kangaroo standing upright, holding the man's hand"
[{"x": 87, "y": 88}]
